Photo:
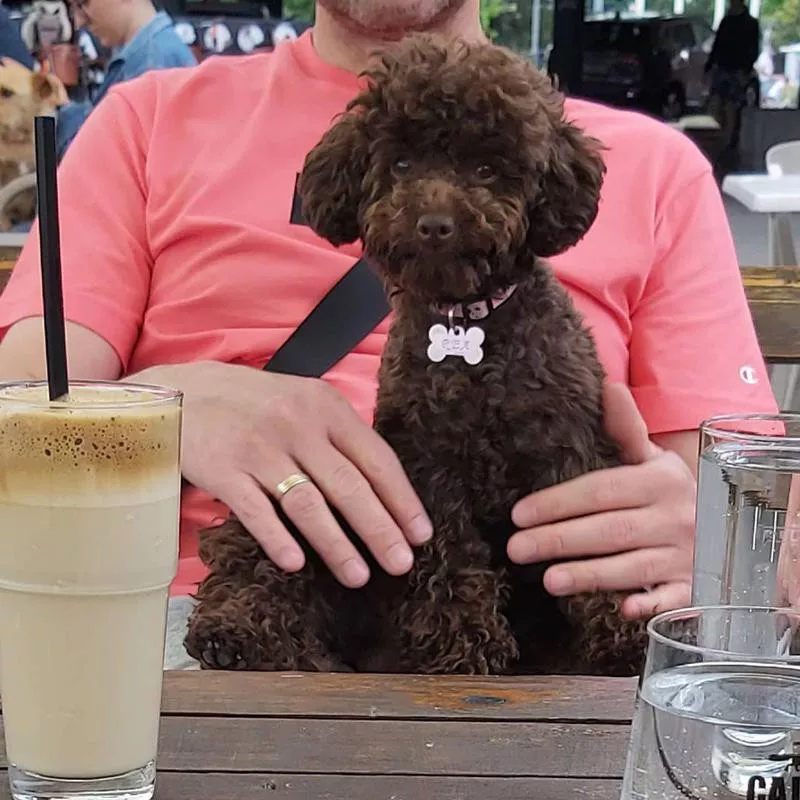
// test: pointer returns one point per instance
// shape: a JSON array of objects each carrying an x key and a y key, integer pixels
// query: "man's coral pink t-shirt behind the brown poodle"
[{"x": 176, "y": 199}]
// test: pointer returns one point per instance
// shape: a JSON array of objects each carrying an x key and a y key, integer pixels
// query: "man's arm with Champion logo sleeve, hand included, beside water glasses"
[{"x": 693, "y": 354}]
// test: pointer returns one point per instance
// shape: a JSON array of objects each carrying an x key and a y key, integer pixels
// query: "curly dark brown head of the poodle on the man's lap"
[{"x": 456, "y": 167}]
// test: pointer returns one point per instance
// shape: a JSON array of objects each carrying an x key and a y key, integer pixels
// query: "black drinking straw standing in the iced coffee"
[{"x": 50, "y": 249}]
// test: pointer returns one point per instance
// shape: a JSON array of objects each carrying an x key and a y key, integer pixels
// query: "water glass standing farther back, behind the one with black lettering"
[{"x": 747, "y": 544}]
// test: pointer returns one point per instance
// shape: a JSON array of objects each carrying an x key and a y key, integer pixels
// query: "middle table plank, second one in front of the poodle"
[{"x": 521, "y": 749}]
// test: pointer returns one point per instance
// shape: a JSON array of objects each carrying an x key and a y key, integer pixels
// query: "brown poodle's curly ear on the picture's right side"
[{"x": 568, "y": 193}]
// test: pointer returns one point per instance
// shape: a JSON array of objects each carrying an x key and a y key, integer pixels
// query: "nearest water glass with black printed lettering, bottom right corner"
[{"x": 716, "y": 721}]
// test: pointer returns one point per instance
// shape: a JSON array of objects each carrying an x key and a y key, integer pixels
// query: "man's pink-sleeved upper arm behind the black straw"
[{"x": 105, "y": 255}]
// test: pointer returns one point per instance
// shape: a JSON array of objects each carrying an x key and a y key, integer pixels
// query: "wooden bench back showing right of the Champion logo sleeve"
[{"x": 773, "y": 294}]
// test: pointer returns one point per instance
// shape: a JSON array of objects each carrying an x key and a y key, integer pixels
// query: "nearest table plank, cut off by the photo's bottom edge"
[{"x": 226, "y": 786}]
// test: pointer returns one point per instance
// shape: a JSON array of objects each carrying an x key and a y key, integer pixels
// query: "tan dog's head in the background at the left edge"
[{"x": 23, "y": 96}]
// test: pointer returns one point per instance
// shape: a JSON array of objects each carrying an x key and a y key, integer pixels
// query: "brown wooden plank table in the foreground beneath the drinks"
[{"x": 254, "y": 736}]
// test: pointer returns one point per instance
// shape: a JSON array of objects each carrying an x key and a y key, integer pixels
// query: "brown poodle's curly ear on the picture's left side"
[{"x": 330, "y": 185}]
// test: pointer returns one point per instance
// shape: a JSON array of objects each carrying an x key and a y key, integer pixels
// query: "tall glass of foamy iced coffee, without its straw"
[{"x": 89, "y": 506}]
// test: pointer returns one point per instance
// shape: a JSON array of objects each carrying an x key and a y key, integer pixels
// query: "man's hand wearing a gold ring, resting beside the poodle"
[{"x": 245, "y": 431}]
